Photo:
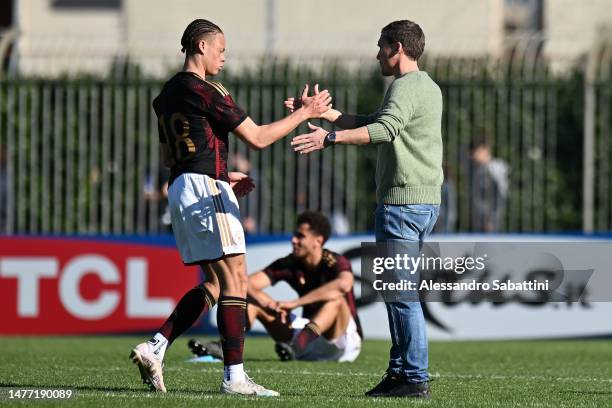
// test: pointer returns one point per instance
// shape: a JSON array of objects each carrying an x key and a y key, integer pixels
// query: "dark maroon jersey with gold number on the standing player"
[{"x": 194, "y": 119}]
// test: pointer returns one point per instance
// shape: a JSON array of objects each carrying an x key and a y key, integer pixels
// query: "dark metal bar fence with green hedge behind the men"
[{"x": 79, "y": 155}]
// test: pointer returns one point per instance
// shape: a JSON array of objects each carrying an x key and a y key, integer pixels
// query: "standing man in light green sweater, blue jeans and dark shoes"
[{"x": 407, "y": 132}]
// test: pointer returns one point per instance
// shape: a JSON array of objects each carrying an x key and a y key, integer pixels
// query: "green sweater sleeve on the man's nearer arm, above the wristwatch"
[{"x": 396, "y": 111}]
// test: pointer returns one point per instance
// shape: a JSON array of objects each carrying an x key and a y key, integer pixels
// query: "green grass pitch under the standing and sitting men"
[{"x": 466, "y": 374}]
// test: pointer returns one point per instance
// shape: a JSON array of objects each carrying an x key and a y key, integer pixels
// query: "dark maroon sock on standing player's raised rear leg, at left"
[{"x": 195, "y": 302}]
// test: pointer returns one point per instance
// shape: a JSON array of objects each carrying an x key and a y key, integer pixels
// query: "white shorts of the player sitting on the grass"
[{"x": 345, "y": 348}]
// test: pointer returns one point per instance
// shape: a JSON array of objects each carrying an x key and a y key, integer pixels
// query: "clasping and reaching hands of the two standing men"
[{"x": 316, "y": 106}]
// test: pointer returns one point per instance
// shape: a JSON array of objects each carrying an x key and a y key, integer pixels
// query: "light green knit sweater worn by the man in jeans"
[{"x": 408, "y": 131}]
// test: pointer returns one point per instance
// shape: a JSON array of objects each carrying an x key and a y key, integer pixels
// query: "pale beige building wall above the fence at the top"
[{"x": 55, "y": 40}]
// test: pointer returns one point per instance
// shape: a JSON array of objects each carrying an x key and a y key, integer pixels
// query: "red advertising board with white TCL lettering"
[{"x": 69, "y": 286}]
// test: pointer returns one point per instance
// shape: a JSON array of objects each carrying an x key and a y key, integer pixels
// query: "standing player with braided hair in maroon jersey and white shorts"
[{"x": 195, "y": 116}]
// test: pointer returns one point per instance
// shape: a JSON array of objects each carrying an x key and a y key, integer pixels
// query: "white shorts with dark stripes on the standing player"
[{"x": 205, "y": 218}]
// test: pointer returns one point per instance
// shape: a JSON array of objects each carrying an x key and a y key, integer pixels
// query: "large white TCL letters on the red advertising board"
[{"x": 29, "y": 272}]
